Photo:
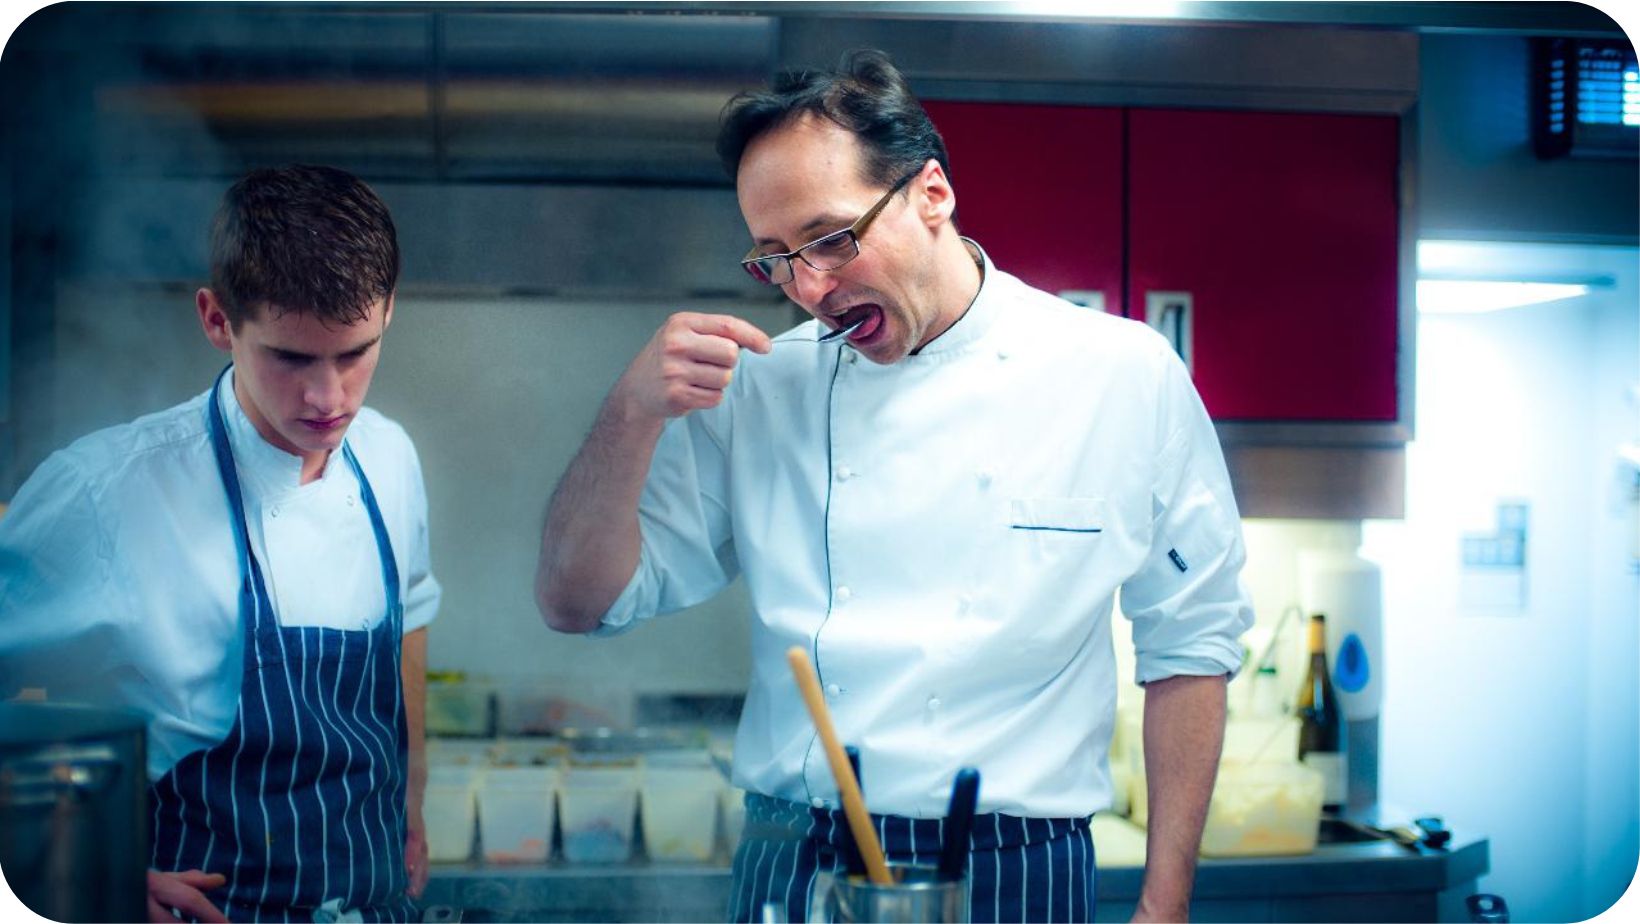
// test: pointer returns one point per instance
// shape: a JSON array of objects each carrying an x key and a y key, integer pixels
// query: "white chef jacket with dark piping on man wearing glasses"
[{"x": 945, "y": 537}]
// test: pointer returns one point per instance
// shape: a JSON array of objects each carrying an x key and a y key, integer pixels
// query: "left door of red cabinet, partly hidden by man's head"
[{"x": 1041, "y": 188}]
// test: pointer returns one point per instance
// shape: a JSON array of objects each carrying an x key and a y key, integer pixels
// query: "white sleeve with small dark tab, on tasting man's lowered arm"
[{"x": 1187, "y": 603}]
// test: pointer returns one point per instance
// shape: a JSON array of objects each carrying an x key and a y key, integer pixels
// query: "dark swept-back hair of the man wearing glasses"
[{"x": 867, "y": 96}]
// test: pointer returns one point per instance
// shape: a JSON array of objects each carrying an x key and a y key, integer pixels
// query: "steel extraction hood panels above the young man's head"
[{"x": 439, "y": 96}]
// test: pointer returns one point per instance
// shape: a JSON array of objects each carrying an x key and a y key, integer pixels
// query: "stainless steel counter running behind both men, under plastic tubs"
[{"x": 1339, "y": 882}]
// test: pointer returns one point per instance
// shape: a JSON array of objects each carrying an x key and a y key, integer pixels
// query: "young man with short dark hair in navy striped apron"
[{"x": 250, "y": 570}]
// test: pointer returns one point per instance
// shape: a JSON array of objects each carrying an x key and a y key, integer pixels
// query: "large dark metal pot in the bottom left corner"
[{"x": 75, "y": 833}]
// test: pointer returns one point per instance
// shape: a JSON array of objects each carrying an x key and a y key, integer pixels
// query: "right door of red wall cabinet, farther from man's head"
[{"x": 1285, "y": 231}]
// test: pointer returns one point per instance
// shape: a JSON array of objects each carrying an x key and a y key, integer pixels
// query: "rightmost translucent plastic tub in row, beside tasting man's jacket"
[{"x": 680, "y": 805}]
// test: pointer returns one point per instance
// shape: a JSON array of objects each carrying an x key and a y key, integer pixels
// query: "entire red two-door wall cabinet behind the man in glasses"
[{"x": 1280, "y": 229}]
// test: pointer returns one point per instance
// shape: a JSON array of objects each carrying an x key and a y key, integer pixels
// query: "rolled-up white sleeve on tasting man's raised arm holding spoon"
[{"x": 688, "y": 551}]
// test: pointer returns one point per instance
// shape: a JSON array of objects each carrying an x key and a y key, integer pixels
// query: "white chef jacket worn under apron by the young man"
[{"x": 119, "y": 577}]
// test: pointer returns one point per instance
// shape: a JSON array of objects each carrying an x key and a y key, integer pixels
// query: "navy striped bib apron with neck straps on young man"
[{"x": 303, "y": 803}]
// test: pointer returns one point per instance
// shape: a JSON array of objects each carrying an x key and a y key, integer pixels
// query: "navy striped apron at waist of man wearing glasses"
[{"x": 1019, "y": 869}]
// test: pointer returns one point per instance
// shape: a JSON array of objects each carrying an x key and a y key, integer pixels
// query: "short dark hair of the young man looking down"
[{"x": 303, "y": 239}]
